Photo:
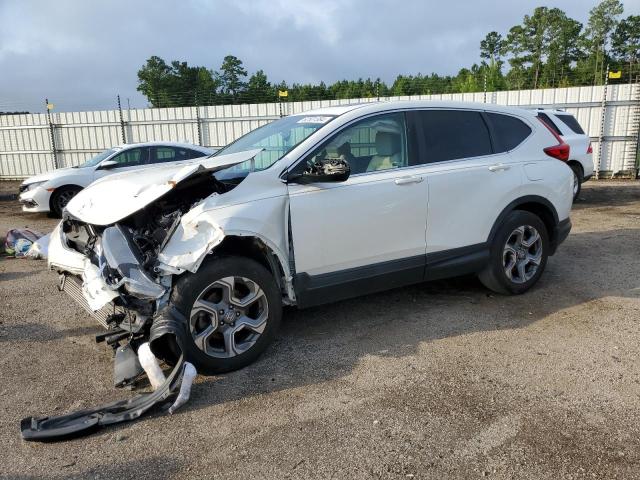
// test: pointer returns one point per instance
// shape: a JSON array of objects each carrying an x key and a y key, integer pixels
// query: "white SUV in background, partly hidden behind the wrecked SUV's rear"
[{"x": 581, "y": 158}]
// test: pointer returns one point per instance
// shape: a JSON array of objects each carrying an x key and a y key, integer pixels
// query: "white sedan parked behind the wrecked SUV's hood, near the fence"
[{"x": 52, "y": 191}]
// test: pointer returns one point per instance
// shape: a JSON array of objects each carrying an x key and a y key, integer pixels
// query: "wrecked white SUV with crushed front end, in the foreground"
[{"x": 313, "y": 208}]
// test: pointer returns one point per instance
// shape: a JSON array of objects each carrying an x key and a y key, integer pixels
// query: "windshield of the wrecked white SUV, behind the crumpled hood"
[{"x": 276, "y": 139}]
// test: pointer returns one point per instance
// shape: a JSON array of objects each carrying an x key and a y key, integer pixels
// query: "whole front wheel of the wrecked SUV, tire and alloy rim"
[{"x": 233, "y": 307}]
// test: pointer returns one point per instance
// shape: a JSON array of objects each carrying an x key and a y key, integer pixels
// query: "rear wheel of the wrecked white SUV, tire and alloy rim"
[{"x": 518, "y": 254}]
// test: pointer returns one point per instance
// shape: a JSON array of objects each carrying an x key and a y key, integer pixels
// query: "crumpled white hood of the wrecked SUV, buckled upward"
[{"x": 117, "y": 196}]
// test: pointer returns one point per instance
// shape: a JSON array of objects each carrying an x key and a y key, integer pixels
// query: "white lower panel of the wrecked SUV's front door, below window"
[{"x": 367, "y": 219}]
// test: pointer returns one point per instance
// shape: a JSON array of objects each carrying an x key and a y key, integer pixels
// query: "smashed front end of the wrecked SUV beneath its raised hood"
[{"x": 122, "y": 273}]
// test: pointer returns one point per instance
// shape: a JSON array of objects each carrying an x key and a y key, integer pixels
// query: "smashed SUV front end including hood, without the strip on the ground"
[{"x": 123, "y": 240}]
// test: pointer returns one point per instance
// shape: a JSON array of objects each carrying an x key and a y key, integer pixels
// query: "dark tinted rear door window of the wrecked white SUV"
[{"x": 453, "y": 134}]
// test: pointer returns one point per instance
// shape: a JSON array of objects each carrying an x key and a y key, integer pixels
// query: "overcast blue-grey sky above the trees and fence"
[{"x": 81, "y": 53}]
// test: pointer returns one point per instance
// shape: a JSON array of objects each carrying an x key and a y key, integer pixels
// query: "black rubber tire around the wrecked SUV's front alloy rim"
[{"x": 190, "y": 286}]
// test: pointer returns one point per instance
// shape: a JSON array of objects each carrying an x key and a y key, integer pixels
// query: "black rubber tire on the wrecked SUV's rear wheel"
[{"x": 494, "y": 277}]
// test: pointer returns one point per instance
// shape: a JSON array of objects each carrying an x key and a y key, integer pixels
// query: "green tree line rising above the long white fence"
[{"x": 547, "y": 49}]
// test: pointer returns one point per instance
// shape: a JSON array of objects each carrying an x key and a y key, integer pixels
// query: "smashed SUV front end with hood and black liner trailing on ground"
[{"x": 119, "y": 265}]
